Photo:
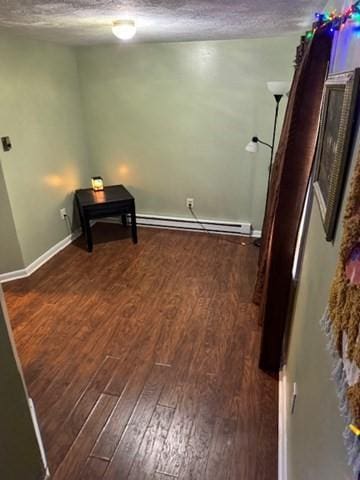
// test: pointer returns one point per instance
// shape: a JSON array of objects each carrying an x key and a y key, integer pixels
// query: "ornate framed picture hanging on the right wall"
[{"x": 336, "y": 128}]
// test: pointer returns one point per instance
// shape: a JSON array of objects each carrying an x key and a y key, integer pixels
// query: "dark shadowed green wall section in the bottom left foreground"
[{"x": 19, "y": 451}]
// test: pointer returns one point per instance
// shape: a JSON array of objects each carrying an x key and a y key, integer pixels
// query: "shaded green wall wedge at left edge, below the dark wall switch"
[{"x": 10, "y": 253}]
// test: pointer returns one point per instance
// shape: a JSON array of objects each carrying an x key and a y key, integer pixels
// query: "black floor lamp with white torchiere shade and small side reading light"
[{"x": 278, "y": 89}]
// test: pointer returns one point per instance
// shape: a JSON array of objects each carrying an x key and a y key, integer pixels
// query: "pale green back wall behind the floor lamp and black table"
[{"x": 171, "y": 121}]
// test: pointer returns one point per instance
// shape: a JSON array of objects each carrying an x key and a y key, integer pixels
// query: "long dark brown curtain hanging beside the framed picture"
[{"x": 291, "y": 174}]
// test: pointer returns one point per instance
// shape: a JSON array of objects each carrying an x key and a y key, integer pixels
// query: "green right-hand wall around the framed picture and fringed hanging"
[{"x": 315, "y": 443}]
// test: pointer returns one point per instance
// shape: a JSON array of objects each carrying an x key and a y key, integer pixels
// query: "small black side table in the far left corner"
[{"x": 113, "y": 200}]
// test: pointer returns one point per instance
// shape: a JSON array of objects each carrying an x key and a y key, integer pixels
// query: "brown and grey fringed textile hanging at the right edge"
[{"x": 341, "y": 322}]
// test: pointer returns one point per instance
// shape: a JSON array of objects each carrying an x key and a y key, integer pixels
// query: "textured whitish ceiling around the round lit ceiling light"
[{"x": 84, "y": 22}]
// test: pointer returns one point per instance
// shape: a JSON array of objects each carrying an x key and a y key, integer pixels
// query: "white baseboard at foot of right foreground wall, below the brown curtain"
[{"x": 282, "y": 427}]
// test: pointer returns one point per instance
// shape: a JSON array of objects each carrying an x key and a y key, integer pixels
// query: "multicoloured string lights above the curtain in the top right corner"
[{"x": 333, "y": 20}]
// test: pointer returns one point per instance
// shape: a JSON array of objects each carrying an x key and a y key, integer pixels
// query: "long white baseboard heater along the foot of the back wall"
[{"x": 189, "y": 224}]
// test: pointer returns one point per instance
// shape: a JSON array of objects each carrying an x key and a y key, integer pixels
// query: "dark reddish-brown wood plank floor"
[{"x": 142, "y": 360}]
